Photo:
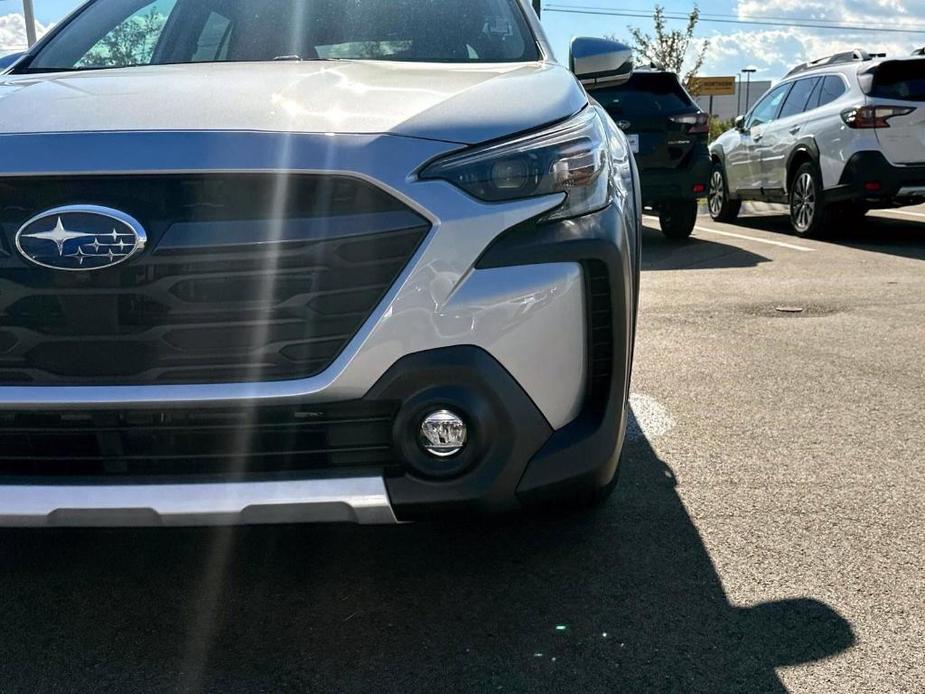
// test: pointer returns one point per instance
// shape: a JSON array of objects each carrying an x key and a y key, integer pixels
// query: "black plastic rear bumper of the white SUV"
[{"x": 869, "y": 178}]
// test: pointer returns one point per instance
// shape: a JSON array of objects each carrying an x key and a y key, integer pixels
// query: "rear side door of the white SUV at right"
[{"x": 782, "y": 134}]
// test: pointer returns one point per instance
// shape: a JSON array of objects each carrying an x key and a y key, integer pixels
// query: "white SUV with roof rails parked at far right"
[{"x": 834, "y": 139}]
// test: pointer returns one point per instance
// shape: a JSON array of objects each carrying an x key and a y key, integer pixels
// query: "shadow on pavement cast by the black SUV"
[{"x": 658, "y": 253}]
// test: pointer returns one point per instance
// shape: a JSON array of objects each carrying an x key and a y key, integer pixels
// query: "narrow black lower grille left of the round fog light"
[{"x": 233, "y": 443}]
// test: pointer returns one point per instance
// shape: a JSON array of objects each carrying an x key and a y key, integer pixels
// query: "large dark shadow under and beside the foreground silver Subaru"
[{"x": 622, "y": 599}]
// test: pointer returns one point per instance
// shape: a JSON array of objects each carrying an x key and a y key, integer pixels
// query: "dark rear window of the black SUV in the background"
[{"x": 646, "y": 95}]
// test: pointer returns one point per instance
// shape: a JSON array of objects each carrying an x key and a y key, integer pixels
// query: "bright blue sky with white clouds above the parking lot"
[{"x": 788, "y": 32}]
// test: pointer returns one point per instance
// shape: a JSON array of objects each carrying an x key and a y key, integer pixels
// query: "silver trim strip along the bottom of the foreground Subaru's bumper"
[{"x": 362, "y": 500}]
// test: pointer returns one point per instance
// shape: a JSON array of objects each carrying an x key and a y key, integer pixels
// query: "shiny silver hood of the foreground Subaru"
[{"x": 466, "y": 104}]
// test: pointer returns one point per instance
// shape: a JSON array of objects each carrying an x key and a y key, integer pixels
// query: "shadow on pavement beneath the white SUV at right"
[{"x": 899, "y": 237}]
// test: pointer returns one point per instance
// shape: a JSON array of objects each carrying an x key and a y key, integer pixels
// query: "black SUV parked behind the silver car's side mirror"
[{"x": 668, "y": 133}]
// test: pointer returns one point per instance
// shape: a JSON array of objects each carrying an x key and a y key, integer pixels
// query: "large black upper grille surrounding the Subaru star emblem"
[{"x": 246, "y": 278}]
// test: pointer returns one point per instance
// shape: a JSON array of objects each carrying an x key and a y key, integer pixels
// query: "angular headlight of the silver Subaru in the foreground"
[{"x": 570, "y": 158}]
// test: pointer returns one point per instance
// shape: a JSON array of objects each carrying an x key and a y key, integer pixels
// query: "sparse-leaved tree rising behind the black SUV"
[{"x": 675, "y": 50}]
